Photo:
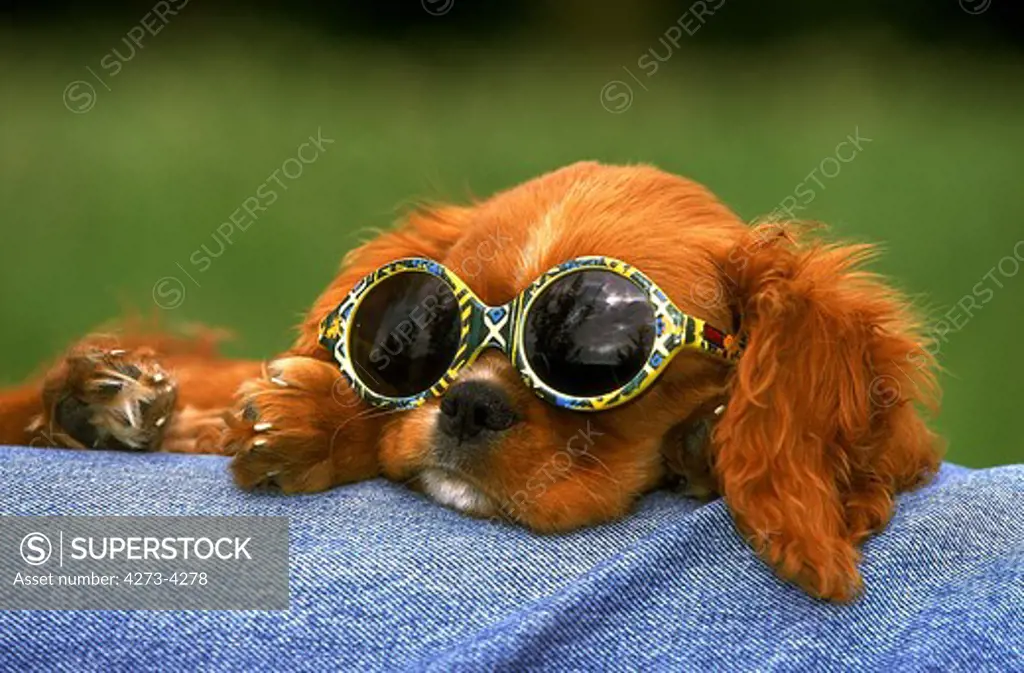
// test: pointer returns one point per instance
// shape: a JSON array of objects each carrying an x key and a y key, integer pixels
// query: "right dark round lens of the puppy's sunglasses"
[{"x": 589, "y": 333}]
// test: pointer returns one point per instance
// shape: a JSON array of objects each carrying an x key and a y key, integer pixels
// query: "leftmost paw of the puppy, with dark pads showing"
[{"x": 103, "y": 397}]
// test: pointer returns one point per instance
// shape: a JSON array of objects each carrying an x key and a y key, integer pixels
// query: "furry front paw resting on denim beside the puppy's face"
[{"x": 283, "y": 430}]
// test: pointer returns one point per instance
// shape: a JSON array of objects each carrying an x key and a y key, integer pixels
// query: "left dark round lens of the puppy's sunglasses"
[{"x": 405, "y": 334}]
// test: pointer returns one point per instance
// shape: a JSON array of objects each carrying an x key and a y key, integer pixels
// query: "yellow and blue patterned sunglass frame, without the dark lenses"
[{"x": 484, "y": 327}]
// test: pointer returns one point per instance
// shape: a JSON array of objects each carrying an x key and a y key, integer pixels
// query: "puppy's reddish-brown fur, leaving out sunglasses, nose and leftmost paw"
[{"x": 822, "y": 427}]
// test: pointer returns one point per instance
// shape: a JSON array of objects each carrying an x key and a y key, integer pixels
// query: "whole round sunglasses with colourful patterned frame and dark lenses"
[{"x": 590, "y": 334}]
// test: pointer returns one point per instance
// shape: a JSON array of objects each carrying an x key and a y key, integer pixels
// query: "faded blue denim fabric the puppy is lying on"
[{"x": 383, "y": 579}]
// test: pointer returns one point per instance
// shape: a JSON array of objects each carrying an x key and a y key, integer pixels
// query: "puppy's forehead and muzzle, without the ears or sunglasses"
[{"x": 492, "y": 447}]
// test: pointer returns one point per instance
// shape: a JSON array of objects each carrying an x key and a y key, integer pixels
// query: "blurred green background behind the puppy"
[{"x": 99, "y": 205}]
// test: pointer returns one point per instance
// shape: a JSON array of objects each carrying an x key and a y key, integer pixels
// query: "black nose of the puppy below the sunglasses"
[{"x": 470, "y": 408}]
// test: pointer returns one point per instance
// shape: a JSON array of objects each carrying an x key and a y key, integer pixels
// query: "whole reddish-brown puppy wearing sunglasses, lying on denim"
[{"x": 547, "y": 357}]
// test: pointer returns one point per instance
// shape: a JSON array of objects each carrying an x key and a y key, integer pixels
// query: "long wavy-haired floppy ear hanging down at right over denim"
[{"x": 823, "y": 425}]
